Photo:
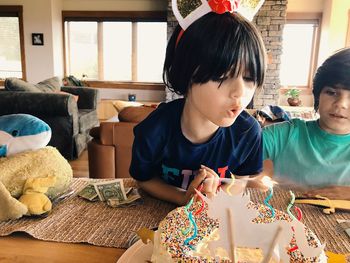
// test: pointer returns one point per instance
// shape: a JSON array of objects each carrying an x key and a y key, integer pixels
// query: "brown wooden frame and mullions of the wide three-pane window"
[{"x": 115, "y": 16}]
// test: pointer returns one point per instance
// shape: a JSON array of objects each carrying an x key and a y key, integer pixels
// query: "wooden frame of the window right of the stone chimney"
[{"x": 315, "y": 18}]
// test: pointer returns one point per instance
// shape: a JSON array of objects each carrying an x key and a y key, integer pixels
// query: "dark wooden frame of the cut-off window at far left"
[{"x": 16, "y": 11}]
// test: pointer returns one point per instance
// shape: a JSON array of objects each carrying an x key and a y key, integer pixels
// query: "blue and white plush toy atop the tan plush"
[{"x": 22, "y": 132}]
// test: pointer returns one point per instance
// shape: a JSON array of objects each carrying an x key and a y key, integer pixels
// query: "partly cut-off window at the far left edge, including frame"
[{"x": 11, "y": 45}]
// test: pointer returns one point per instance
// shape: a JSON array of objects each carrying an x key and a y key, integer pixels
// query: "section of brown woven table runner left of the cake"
[{"x": 76, "y": 220}]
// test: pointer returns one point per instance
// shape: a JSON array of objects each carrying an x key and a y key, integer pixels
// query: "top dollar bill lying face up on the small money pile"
[{"x": 113, "y": 189}]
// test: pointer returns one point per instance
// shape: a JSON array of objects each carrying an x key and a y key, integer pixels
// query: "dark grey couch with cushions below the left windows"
[{"x": 69, "y": 111}]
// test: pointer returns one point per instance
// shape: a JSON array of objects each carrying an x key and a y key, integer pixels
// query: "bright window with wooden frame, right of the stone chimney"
[{"x": 299, "y": 50}]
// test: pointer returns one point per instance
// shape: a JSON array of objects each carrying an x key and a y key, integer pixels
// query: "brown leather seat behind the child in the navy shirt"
[{"x": 109, "y": 151}]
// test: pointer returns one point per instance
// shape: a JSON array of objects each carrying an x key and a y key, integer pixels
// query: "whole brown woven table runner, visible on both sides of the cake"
[{"x": 75, "y": 220}]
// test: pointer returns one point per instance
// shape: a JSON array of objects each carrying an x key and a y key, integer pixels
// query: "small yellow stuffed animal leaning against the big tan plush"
[{"x": 34, "y": 195}]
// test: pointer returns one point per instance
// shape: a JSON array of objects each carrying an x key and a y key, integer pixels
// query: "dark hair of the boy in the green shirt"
[{"x": 334, "y": 71}]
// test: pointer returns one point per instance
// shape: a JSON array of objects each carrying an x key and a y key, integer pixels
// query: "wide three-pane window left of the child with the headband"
[{"x": 115, "y": 46}]
